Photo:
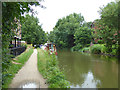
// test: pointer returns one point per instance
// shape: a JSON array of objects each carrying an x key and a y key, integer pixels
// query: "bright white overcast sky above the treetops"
[{"x": 56, "y": 9}]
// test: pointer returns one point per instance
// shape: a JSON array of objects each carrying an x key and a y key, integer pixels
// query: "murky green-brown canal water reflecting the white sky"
[{"x": 84, "y": 70}]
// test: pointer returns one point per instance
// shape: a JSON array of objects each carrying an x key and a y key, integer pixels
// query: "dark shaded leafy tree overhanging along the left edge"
[{"x": 10, "y": 11}]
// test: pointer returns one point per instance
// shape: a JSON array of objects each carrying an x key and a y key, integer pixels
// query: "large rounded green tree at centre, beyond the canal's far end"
[{"x": 63, "y": 32}]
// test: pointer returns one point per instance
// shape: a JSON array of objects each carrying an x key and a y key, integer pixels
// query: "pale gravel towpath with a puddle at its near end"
[{"x": 29, "y": 75}]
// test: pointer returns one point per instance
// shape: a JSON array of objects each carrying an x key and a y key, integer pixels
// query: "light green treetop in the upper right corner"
[{"x": 109, "y": 14}]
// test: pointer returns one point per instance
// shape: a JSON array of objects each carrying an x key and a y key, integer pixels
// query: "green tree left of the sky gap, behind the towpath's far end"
[{"x": 32, "y": 32}]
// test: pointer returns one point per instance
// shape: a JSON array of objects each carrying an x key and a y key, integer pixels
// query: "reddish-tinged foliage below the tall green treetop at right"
[{"x": 107, "y": 35}]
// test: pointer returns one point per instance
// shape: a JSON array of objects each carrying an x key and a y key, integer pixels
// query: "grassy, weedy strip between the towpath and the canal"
[{"x": 48, "y": 67}]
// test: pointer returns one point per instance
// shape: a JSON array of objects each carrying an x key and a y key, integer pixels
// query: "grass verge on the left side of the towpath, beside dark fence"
[{"x": 16, "y": 65}]
